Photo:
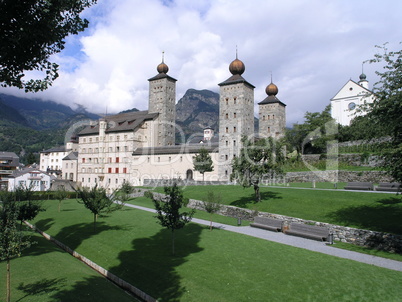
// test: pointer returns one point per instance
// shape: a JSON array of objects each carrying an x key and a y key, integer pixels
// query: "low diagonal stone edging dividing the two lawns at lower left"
[{"x": 120, "y": 282}]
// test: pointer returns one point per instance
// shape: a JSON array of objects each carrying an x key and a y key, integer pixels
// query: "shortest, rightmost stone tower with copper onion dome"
[{"x": 272, "y": 114}]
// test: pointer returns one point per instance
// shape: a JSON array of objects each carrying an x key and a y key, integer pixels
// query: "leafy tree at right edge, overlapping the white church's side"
[{"x": 386, "y": 110}]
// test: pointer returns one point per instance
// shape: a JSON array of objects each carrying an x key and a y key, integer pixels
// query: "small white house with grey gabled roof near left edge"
[{"x": 29, "y": 178}]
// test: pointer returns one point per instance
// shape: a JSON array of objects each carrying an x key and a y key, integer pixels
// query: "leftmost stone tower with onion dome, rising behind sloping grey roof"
[{"x": 162, "y": 100}]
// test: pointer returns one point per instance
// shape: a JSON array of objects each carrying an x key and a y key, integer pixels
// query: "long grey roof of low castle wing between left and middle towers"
[{"x": 178, "y": 149}]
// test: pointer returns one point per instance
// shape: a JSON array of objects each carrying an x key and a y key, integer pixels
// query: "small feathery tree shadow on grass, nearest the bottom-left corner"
[{"x": 44, "y": 286}]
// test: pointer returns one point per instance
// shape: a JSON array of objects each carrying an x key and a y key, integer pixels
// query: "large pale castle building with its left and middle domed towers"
[{"x": 139, "y": 147}]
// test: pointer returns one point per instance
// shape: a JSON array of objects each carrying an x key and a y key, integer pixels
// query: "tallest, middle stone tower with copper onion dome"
[{"x": 236, "y": 116}]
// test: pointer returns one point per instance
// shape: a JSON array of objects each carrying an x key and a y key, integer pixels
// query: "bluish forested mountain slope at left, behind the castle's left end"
[{"x": 29, "y": 126}]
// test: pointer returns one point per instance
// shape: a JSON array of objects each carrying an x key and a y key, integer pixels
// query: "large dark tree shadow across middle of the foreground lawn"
[{"x": 151, "y": 267}]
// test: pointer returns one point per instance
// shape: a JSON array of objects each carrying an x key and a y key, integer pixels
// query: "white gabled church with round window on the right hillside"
[{"x": 345, "y": 103}]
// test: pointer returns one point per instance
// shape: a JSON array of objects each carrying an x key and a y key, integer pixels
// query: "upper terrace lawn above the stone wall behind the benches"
[{"x": 374, "y": 211}]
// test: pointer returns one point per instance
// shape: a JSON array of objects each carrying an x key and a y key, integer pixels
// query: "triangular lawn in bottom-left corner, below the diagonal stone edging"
[{"x": 46, "y": 273}]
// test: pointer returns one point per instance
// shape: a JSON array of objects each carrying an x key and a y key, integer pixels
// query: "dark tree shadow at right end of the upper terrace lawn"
[{"x": 384, "y": 216}]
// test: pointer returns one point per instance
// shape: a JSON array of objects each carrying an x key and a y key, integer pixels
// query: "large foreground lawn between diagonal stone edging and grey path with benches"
[{"x": 208, "y": 266}]
